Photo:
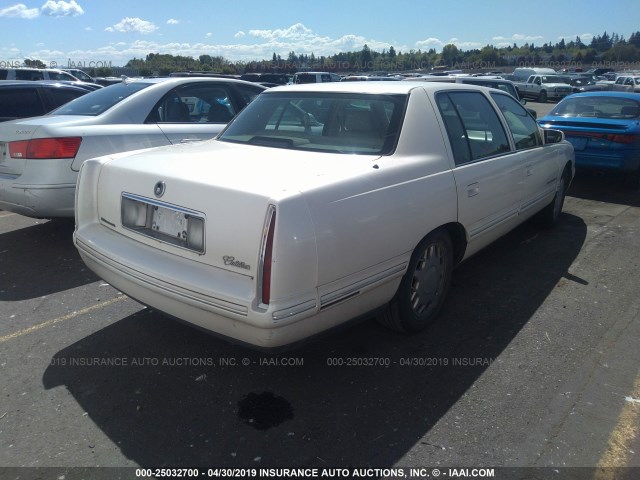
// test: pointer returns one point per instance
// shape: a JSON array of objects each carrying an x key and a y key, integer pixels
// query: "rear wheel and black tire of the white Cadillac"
[{"x": 424, "y": 287}]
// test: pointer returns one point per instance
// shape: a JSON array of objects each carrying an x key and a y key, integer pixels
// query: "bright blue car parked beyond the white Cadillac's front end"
[{"x": 604, "y": 129}]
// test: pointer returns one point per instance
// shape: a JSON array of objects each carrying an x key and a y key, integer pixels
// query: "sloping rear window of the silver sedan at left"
[{"x": 99, "y": 101}]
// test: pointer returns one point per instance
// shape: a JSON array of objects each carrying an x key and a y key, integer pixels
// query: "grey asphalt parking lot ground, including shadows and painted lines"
[{"x": 533, "y": 366}]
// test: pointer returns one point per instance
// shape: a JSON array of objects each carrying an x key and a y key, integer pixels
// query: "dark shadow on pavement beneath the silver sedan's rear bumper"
[{"x": 40, "y": 260}]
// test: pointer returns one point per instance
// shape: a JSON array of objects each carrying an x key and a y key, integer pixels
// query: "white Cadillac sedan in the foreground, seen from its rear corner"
[{"x": 318, "y": 204}]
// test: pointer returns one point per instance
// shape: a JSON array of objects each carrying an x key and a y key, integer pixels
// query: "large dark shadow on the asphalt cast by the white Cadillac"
[{"x": 168, "y": 395}]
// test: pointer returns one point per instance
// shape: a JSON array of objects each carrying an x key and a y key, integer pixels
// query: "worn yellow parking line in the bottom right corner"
[{"x": 628, "y": 428}]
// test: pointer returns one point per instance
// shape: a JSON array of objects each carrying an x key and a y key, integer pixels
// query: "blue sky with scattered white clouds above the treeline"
[{"x": 90, "y": 33}]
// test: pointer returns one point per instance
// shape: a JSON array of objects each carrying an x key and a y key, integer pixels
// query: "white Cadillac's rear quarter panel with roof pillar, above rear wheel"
[{"x": 368, "y": 224}]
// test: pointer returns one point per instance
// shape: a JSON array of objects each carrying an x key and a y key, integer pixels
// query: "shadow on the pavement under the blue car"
[{"x": 604, "y": 187}]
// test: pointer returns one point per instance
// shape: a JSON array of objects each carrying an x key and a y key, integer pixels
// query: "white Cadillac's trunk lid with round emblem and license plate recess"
[{"x": 229, "y": 188}]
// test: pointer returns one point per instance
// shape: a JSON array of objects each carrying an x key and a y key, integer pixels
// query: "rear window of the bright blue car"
[{"x": 597, "y": 106}]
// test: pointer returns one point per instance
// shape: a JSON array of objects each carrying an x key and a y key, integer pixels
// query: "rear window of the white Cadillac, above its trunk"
[{"x": 324, "y": 122}]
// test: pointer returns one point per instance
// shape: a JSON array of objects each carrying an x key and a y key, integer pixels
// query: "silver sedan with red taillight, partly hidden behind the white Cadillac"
[{"x": 40, "y": 157}]
